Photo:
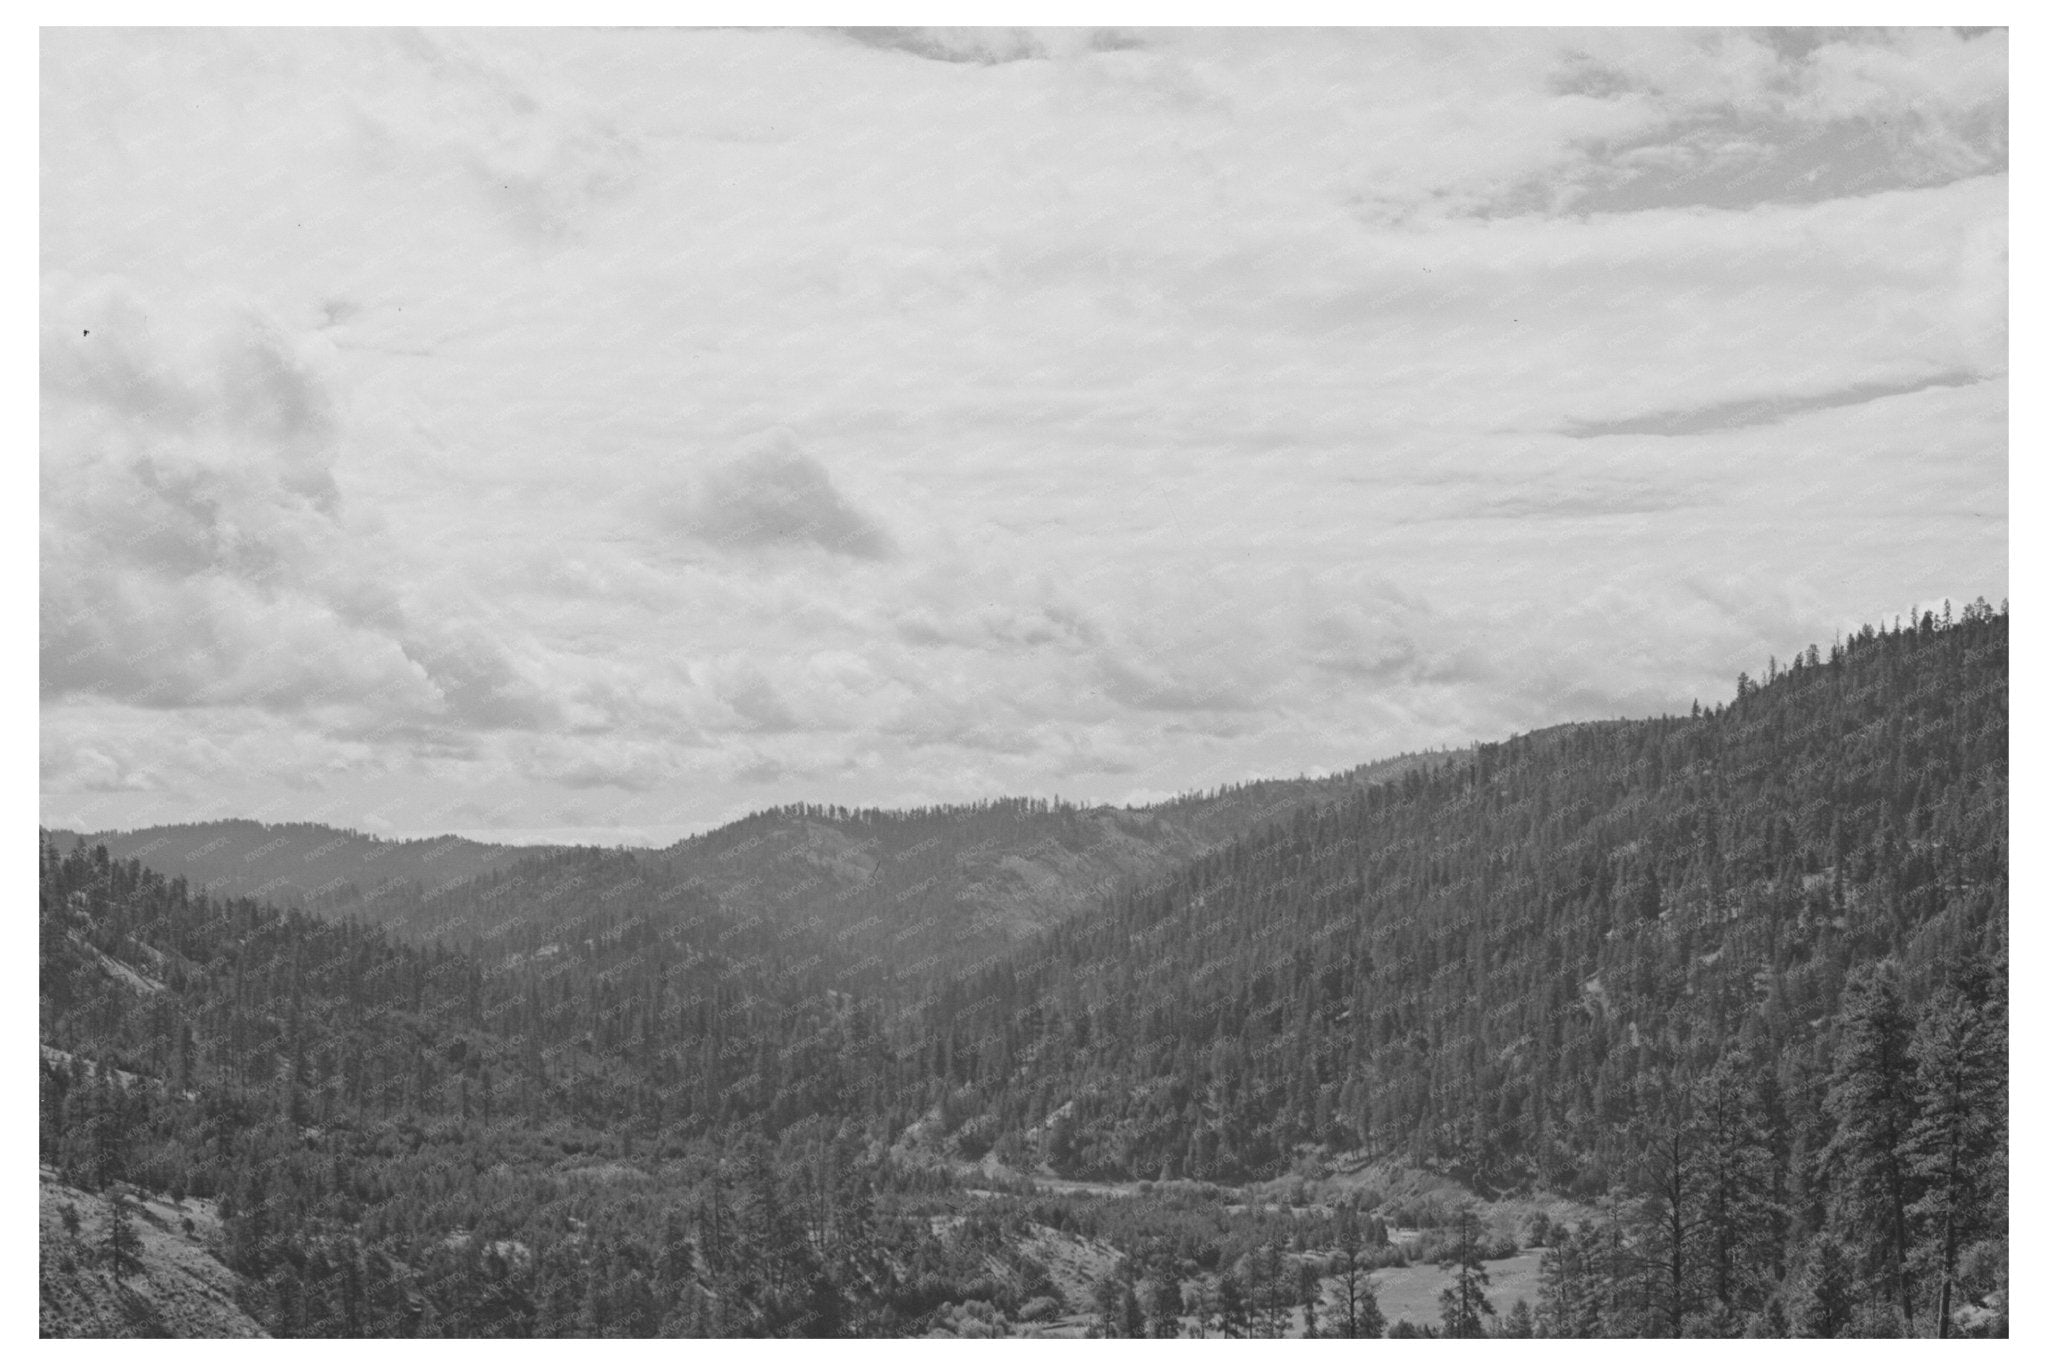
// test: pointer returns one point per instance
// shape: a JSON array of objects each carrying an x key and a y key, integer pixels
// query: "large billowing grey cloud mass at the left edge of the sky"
[{"x": 196, "y": 539}]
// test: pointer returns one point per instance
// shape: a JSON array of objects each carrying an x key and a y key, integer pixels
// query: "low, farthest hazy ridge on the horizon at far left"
[{"x": 302, "y": 865}]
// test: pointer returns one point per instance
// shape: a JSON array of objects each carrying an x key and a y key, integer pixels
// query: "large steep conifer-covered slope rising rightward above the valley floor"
[{"x": 1494, "y": 967}]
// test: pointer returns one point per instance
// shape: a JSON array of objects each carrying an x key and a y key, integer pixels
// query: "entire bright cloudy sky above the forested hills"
[{"x": 601, "y": 435}]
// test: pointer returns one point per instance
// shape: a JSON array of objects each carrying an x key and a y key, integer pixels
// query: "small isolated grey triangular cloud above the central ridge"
[{"x": 775, "y": 496}]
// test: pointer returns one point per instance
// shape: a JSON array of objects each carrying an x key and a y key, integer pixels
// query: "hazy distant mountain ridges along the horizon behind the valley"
[{"x": 890, "y": 897}]
